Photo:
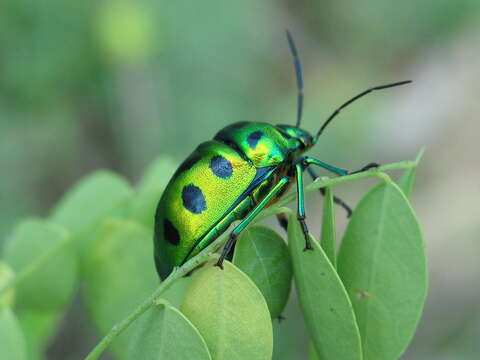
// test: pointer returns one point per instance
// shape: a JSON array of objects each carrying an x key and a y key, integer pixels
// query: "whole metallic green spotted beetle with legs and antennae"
[{"x": 246, "y": 167}]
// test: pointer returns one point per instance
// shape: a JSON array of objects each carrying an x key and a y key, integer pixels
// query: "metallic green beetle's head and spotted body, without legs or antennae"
[{"x": 220, "y": 182}]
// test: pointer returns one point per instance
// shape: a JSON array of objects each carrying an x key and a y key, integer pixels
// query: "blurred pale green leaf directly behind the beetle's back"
[{"x": 149, "y": 191}]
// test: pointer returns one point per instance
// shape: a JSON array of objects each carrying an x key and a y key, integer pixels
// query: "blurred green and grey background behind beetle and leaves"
[{"x": 115, "y": 84}]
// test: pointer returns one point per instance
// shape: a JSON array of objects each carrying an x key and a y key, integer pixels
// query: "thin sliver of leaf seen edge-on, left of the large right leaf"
[{"x": 329, "y": 235}]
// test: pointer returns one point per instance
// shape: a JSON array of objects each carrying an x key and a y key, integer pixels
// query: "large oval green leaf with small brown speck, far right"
[{"x": 382, "y": 264}]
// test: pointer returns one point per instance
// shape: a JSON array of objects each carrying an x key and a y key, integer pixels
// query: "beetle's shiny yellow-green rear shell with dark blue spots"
[{"x": 201, "y": 191}]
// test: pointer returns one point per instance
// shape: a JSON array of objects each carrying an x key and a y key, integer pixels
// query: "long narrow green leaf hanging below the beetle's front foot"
[{"x": 325, "y": 304}]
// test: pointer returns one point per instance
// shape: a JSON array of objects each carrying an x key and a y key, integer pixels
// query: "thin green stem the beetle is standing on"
[{"x": 207, "y": 253}]
